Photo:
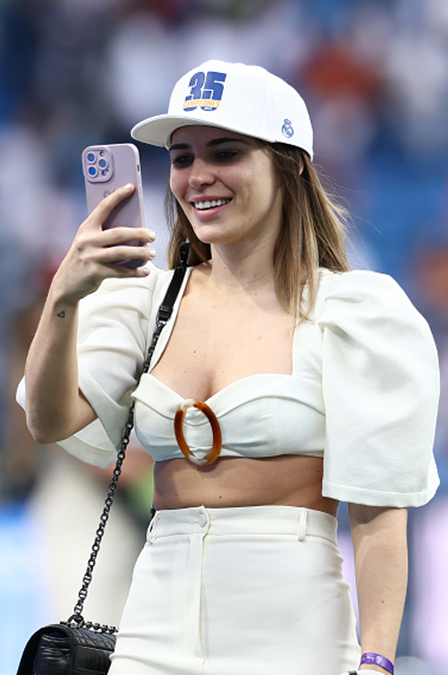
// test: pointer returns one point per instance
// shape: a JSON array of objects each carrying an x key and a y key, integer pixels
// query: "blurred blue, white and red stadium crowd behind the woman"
[{"x": 374, "y": 74}]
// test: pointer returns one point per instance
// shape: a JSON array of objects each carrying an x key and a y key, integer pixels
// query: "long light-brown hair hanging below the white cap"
[{"x": 313, "y": 232}]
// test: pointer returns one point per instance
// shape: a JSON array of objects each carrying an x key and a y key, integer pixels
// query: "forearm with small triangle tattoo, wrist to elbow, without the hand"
[{"x": 54, "y": 406}]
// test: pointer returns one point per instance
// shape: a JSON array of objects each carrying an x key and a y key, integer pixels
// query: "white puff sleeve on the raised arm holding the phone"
[{"x": 112, "y": 338}]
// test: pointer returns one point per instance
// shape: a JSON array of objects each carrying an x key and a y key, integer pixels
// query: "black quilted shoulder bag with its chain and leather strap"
[{"x": 76, "y": 646}]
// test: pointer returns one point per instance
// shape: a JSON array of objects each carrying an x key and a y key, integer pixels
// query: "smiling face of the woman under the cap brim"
[{"x": 226, "y": 185}]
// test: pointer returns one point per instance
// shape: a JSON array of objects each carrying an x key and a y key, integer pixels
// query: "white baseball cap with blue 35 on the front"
[{"x": 246, "y": 99}]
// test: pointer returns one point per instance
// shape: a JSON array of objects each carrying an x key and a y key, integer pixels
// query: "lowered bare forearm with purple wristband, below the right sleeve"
[{"x": 381, "y": 560}]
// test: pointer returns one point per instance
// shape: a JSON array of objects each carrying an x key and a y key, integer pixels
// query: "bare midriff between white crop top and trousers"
[{"x": 290, "y": 480}]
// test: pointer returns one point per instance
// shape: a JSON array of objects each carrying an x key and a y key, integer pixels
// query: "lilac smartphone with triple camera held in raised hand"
[{"x": 106, "y": 168}]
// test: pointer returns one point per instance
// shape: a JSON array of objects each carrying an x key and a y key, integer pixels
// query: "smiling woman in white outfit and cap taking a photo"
[{"x": 323, "y": 382}]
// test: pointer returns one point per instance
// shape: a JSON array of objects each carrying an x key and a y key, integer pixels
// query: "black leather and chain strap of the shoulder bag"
[{"x": 163, "y": 316}]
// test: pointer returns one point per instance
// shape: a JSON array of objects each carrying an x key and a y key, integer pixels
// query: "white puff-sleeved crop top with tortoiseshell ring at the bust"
[{"x": 363, "y": 393}]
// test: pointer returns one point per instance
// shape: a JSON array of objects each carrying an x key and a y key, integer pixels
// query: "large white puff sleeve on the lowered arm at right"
[{"x": 380, "y": 381}]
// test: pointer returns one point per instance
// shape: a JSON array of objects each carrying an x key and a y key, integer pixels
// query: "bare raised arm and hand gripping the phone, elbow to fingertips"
[{"x": 55, "y": 407}]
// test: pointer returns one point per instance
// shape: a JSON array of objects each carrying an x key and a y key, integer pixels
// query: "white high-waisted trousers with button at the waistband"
[{"x": 238, "y": 591}]
